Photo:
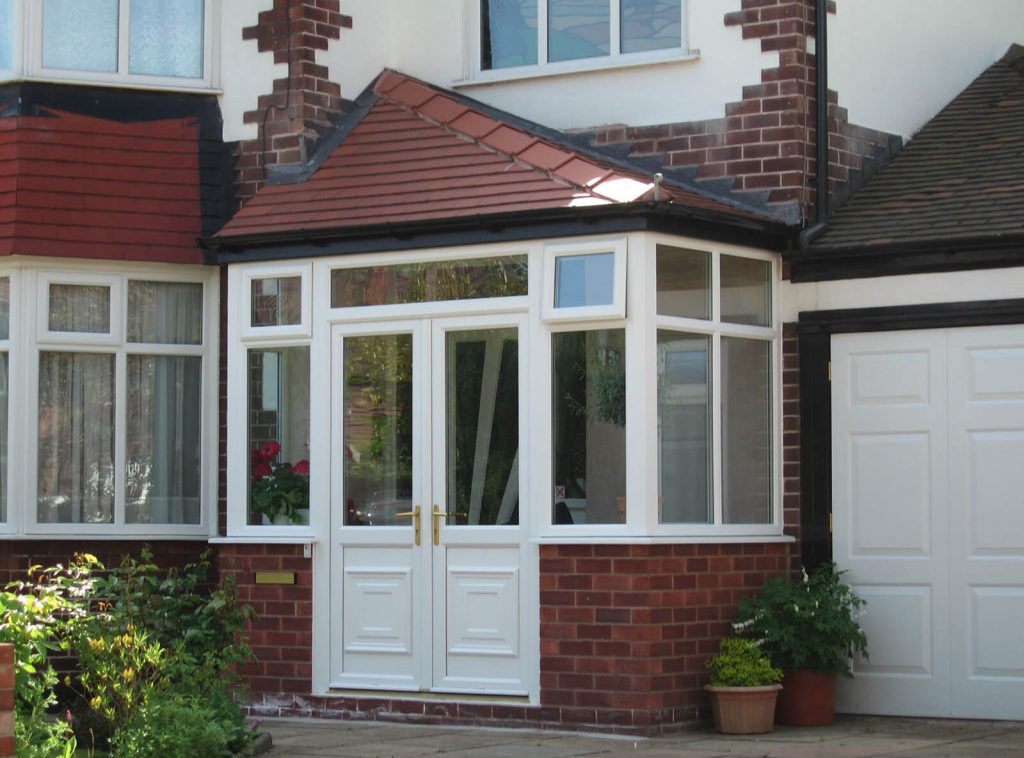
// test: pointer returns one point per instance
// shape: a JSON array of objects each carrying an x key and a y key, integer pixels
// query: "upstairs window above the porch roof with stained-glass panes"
[{"x": 517, "y": 33}]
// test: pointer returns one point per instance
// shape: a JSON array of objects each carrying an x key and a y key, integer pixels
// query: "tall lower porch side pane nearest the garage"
[{"x": 746, "y": 432}]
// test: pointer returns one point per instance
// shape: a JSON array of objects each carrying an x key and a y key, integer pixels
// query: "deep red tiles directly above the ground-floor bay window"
[{"x": 78, "y": 187}]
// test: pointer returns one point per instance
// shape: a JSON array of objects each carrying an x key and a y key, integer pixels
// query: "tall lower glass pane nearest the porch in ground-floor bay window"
[{"x": 163, "y": 446}]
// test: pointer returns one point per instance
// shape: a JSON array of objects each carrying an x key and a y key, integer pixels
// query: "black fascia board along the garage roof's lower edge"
[{"x": 831, "y": 263}]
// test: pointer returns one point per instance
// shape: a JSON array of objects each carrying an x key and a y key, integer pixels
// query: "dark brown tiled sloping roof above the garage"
[{"x": 961, "y": 177}]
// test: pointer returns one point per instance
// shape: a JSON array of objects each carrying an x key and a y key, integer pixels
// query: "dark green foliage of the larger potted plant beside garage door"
[{"x": 810, "y": 623}]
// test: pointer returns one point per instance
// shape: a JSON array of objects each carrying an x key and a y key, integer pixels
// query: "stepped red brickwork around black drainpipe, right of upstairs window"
[{"x": 766, "y": 142}]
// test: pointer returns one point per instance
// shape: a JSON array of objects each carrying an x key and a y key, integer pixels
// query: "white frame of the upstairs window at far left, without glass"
[{"x": 31, "y": 58}]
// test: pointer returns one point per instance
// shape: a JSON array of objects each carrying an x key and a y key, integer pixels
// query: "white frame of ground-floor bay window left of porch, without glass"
[{"x": 23, "y": 520}]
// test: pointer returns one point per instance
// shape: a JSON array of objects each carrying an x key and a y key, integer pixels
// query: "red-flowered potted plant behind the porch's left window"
[{"x": 280, "y": 491}]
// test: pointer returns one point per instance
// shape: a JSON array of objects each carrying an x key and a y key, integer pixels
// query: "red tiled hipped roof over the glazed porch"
[{"x": 416, "y": 153}]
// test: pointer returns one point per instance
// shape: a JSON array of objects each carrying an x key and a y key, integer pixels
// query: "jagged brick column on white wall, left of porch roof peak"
[{"x": 305, "y": 105}]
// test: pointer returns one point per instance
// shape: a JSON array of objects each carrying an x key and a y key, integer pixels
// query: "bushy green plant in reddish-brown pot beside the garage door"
[{"x": 808, "y": 627}]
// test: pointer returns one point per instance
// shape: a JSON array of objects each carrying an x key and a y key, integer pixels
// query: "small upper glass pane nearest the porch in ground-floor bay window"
[{"x": 165, "y": 313}]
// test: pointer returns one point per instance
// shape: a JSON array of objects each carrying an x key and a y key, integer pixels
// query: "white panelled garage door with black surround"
[{"x": 928, "y": 518}]
